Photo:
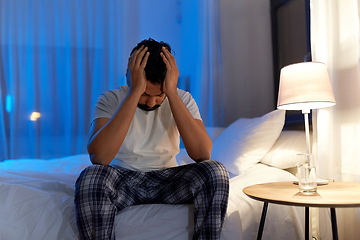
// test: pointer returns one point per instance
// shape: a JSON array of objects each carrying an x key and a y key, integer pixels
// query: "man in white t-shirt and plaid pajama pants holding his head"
[{"x": 133, "y": 143}]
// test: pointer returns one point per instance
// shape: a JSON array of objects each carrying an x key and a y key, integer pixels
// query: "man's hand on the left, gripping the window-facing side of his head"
[{"x": 136, "y": 70}]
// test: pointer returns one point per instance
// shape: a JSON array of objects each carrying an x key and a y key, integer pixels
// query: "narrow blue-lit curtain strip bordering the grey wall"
[{"x": 210, "y": 75}]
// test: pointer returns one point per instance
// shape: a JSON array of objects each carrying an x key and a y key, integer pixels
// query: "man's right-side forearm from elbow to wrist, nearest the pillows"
[{"x": 193, "y": 133}]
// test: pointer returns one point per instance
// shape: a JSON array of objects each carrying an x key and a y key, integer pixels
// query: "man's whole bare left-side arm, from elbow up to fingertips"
[{"x": 107, "y": 135}]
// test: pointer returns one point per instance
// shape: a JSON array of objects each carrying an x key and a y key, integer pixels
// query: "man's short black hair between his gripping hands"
[{"x": 155, "y": 69}]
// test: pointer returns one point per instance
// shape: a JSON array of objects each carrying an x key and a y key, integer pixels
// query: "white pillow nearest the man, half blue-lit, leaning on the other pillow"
[{"x": 246, "y": 141}]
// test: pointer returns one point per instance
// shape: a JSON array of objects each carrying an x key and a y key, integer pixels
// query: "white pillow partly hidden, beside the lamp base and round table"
[{"x": 283, "y": 153}]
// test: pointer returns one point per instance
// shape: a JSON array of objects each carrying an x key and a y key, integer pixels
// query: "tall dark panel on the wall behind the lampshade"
[{"x": 291, "y": 42}]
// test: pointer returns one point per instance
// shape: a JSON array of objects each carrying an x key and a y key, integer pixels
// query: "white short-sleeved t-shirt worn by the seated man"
[{"x": 153, "y": 139}]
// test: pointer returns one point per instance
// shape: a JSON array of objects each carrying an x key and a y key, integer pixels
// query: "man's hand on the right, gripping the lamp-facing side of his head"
[{"x": 172, "y": 73}]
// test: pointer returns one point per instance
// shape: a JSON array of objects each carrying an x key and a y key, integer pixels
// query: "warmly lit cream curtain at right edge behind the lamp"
[{"x": 335, "y": 41}]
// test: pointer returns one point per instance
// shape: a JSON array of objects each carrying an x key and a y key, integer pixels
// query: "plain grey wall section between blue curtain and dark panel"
[{"x": 246, "y": 58}]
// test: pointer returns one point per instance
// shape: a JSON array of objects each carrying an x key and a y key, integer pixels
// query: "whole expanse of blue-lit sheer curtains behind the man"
[{"x": 56, "y": 57}]
